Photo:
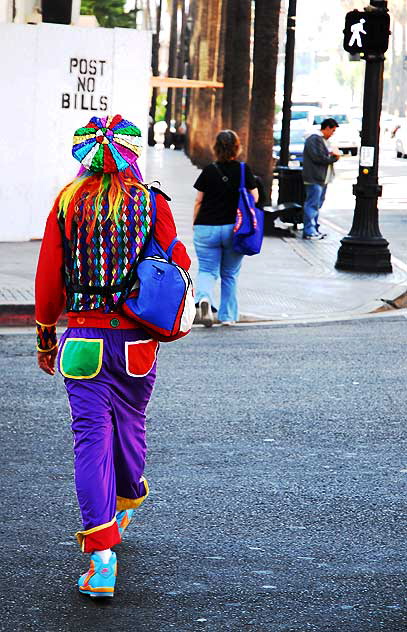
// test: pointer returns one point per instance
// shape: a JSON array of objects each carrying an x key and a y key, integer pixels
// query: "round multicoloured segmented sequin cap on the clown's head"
[{"x": 107, "y": 144}]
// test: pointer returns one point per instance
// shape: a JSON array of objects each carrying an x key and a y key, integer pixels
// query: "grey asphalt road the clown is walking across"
[{"x": 278, "y": 472}]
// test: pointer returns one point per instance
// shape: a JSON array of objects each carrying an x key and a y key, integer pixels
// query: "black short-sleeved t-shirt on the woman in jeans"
[{"x": 221, "y": 198}]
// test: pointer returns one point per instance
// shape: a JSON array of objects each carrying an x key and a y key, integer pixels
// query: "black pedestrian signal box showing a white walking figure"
[{"x": 366, "y": 32}]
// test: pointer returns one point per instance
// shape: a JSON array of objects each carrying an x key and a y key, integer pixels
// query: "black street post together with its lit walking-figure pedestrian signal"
[{"x": 365, "y": 249}]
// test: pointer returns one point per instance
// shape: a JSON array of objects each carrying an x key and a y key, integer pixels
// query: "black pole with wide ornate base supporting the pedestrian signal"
[{"x": 365, "y": 249}]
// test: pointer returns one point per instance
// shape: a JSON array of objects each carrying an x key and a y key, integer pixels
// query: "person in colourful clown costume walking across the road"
[{"x": 93, "y": 237}]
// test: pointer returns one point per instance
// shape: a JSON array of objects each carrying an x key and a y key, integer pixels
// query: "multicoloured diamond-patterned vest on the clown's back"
[{"x": 97, "y": 273}]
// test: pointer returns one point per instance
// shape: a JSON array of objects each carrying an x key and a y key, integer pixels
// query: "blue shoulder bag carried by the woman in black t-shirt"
[{"x": 249, "y": 226}]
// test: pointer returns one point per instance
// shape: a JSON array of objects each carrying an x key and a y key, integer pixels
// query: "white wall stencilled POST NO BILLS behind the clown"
[{"x": 43, "y": 103}]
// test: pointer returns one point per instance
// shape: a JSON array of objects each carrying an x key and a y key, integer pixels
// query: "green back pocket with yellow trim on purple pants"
[{"x": 81, "y": 358}]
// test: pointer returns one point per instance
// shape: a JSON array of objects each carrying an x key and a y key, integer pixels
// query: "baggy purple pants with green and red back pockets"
[{"x": 109, "y": 377}]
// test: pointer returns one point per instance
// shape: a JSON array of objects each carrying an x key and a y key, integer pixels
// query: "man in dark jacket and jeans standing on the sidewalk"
[{"x": 317, "y": 173}]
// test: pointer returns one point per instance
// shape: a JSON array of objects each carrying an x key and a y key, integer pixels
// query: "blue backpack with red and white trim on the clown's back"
[{"x": 161, "y": 300}]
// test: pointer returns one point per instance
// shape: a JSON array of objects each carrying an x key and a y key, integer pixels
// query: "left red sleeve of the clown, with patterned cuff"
[{"x": 49, "y": 283}]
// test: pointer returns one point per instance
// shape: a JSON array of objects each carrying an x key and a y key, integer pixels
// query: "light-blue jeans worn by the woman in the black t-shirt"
[{"x": 213, "y": 247}]
